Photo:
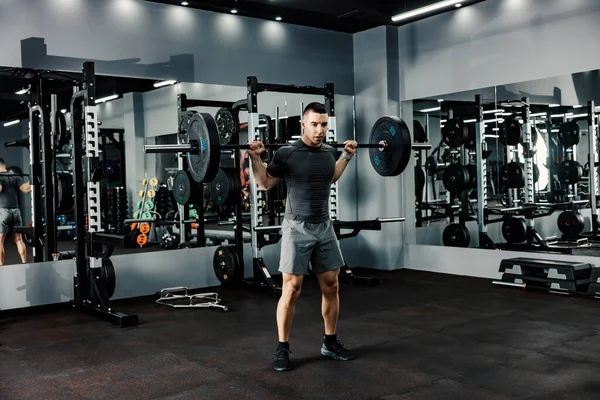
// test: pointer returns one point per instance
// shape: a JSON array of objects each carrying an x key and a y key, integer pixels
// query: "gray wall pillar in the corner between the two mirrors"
[{"x": 377, "y": 94}]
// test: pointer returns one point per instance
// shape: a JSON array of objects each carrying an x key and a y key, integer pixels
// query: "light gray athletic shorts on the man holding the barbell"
[{"x": 302, "y": 242}]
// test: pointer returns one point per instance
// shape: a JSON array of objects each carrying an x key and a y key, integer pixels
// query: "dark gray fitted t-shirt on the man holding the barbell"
[{"x": 307, "y": 172}]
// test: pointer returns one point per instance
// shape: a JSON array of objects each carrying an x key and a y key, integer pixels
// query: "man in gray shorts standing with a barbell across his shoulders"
[{"x": 309, "y": 167}]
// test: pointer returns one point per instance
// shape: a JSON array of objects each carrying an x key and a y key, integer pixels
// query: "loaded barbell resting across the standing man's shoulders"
[{"x": 389, "y": 146}]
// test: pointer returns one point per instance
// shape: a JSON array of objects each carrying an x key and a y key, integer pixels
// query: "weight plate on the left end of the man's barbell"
[{"x": 202, "y": 130}]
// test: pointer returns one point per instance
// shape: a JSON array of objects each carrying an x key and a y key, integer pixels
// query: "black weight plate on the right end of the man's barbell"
[{"x": 395, "y": 157}]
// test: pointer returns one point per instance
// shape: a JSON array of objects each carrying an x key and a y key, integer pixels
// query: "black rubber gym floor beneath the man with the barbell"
[{"x": 416, "y": 336}]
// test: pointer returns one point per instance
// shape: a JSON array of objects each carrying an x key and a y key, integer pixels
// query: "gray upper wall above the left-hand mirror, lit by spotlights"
[{"x": 143, "y": 39}]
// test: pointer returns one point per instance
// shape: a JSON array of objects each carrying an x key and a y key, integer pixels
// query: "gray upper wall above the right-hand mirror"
[{"x": 496, "y": 43}]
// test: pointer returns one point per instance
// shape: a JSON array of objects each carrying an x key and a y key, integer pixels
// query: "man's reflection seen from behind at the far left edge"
[{"x": 10, "y": 213}]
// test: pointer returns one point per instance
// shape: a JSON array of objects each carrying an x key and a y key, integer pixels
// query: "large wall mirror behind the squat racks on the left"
[{"x": 138, "y": 187}]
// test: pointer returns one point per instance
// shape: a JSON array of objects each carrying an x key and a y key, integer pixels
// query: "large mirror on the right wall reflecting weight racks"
[{"x": 537, "y": 155}]
